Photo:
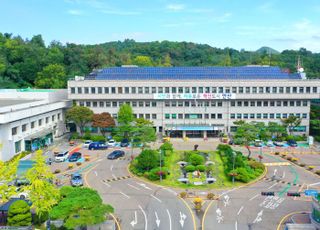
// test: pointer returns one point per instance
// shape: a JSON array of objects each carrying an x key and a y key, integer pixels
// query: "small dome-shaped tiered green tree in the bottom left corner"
[{"x": 19, "y": 214}]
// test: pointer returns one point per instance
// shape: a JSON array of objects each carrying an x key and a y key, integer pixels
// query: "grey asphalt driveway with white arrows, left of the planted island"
[{"x": 138, "y": 205}]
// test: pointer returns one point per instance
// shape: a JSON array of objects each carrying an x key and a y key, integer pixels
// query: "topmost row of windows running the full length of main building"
[{"x": 152, "y": 90}]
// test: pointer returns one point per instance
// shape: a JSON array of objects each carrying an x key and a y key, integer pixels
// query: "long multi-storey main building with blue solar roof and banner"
[{"x": 198, "y": 101}]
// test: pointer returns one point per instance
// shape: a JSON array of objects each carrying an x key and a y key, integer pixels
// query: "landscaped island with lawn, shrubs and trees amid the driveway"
[{"x": 196, "y": 169}]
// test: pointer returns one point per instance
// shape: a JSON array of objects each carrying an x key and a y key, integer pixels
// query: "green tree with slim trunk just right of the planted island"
[{"x": 248, "y": 132}]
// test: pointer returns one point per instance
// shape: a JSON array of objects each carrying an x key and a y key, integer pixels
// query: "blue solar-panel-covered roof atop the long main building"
[{"x": 191, "y": 73}]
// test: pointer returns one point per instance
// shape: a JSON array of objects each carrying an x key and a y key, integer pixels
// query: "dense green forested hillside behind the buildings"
[{"x": 30, "y": 63}]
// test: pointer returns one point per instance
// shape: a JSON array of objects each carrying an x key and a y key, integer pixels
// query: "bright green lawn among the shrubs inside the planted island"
[{"x": 223, "y": 180}]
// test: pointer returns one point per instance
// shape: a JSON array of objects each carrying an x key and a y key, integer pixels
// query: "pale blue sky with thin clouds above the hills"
[{"x": 248, "y": 24}]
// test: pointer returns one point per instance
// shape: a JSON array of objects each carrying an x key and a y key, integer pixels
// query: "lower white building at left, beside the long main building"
[{"x": 30, "y": 119}]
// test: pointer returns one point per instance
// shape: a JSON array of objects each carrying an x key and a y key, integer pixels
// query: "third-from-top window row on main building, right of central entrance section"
[{"x": 266, "y": 115}]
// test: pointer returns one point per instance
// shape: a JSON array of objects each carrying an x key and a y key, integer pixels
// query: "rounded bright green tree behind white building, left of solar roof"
[{"x": 52, "y": 76}]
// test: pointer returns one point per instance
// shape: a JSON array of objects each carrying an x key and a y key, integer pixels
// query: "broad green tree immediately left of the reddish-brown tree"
[{"x": 80, "y": 115}]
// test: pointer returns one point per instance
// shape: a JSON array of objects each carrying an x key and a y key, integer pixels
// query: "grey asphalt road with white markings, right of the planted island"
[{"x": 246, "y": 208}]
